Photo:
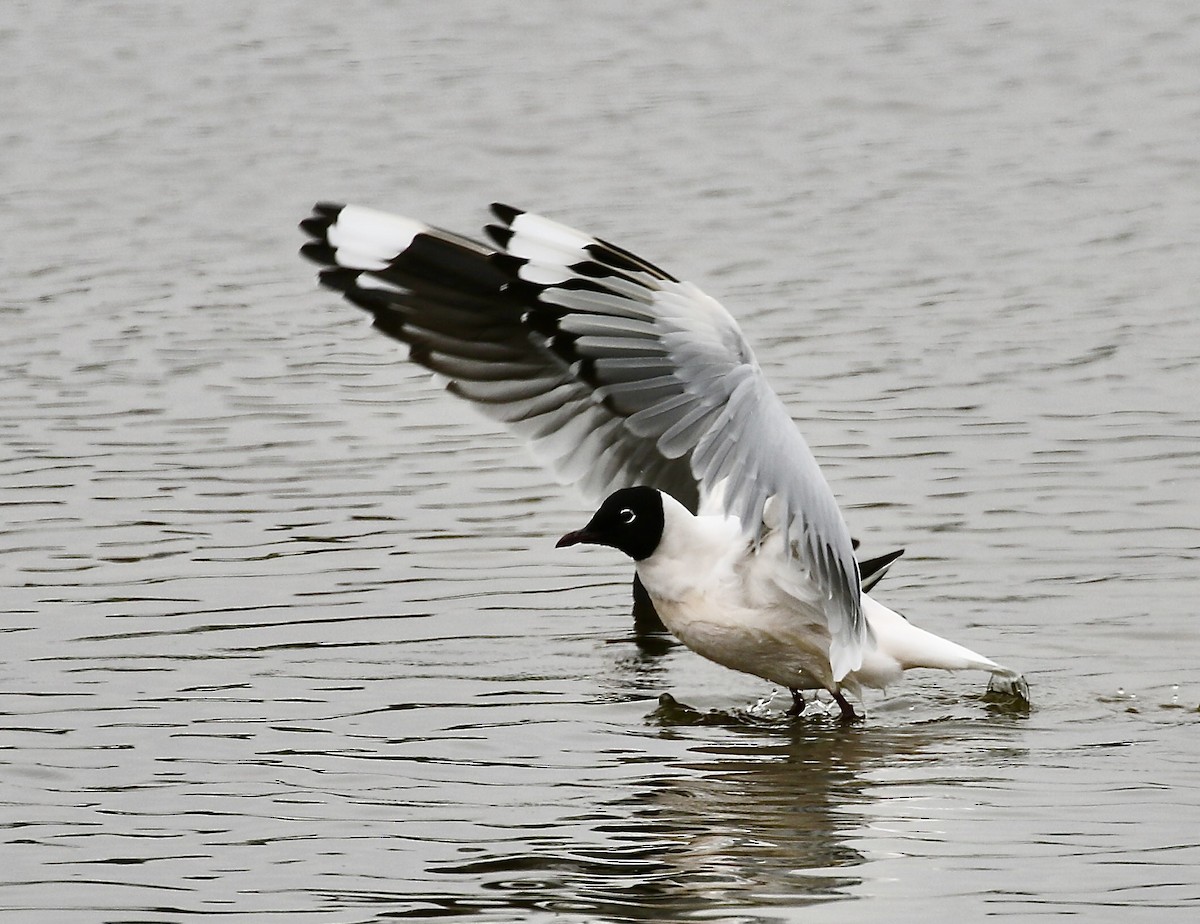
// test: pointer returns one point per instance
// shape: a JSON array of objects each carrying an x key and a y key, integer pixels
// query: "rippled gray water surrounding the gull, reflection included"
[{"x": 286, "y": 637}]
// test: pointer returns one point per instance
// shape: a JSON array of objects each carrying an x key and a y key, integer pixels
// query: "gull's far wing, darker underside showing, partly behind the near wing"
[{"x": 465, "y": 315}]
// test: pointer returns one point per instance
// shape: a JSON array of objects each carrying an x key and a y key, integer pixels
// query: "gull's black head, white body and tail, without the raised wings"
[{"x": 745, "y": 604}]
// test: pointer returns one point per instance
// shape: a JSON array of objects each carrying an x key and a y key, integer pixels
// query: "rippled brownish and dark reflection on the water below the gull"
[{"x": 761, "y": 817}]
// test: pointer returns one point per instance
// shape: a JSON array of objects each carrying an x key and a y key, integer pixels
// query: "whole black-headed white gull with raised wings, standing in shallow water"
[{"x": 639, "y": 388}]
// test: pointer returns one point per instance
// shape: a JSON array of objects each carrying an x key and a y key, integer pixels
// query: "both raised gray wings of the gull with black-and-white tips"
[{"x": 616, "y": 373}]
